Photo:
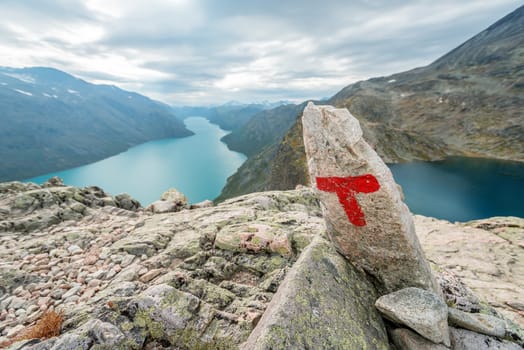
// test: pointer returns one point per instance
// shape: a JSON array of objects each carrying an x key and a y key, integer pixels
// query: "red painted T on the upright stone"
[{"x": 345, "y": 188}]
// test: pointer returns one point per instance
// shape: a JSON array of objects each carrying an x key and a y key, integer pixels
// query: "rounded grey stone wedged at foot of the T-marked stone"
[{"x": 421, "y": 310}]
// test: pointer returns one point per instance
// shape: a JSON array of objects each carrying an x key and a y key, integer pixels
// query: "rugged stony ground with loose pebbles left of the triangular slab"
[{"x": 111, "y": 267}]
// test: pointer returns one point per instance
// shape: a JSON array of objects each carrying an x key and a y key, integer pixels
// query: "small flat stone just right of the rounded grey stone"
[{"x": 480, "y": 323}]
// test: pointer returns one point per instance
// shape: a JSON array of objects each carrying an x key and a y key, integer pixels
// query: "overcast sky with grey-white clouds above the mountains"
[{"x": 211, "y": 51}]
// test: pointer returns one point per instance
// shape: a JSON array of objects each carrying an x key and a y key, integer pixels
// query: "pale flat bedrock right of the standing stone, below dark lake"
[{"x": 487, "y": 255}]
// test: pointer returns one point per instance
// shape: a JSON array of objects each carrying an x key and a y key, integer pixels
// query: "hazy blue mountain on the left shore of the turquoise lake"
[{"x": 52, "y": 121}]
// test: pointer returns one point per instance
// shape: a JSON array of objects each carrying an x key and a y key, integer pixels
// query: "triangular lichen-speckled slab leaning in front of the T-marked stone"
[{"x": 323, "y": 303}]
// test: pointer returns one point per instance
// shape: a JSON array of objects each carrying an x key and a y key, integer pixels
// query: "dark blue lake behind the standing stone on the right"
[{"x": 462, "y": 189}]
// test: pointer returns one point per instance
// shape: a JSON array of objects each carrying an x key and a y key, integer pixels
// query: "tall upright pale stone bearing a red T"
[{"x": 367, "y": 220}]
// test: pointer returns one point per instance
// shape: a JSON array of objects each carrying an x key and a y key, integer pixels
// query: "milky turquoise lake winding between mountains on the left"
[{"x": 197, "y": 165}]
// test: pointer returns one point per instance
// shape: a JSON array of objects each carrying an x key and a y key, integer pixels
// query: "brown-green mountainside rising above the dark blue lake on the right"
[{"x": 468, "y": 102}]
